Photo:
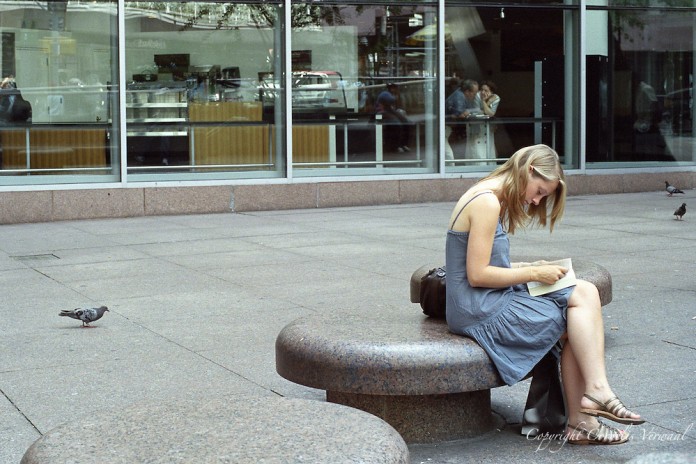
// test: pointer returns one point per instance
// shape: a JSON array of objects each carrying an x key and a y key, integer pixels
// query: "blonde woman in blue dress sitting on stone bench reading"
[{"x": 488, "y": 301}]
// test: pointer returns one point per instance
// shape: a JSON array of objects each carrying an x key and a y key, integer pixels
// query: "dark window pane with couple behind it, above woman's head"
[{"x": 525, "y": 55}]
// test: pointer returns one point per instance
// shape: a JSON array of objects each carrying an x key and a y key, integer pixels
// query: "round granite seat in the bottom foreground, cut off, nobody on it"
[{"x": 236, "y": 430}]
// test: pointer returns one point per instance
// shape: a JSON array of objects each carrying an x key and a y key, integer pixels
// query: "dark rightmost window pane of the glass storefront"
[{"x": 649, "y": 94}]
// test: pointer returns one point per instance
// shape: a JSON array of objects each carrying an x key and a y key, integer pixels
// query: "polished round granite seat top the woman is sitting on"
[{"x": 390, "y": 353}]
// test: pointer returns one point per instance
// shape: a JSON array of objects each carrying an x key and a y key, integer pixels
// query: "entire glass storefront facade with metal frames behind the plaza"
[{"x": 114, "y": 91}]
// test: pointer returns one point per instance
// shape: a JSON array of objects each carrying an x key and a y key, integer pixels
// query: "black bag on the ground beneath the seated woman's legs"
[{"x": 545, "y": 410}]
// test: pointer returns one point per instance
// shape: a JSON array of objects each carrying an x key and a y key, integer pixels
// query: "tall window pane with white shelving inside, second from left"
[{"x": 203, "y": 95}]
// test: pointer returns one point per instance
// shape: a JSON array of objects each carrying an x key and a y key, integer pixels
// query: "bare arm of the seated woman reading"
[{"x": 482, "y": 215}]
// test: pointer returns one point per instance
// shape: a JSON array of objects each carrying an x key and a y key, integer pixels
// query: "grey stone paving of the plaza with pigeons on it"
[{"x": 154, "y": 344}]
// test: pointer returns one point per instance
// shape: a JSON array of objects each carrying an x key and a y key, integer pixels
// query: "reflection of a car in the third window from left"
[{"x": 318, "y": 90}]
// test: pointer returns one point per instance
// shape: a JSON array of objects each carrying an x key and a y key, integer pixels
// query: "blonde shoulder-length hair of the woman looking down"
[{"x": 543, "y": 162}]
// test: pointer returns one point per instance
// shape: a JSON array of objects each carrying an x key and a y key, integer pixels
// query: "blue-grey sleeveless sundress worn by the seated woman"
[{"x": 513, "y": 327}]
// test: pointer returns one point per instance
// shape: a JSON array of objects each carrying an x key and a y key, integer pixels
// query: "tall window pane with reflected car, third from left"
[{"x": 343, "y": 57}]
